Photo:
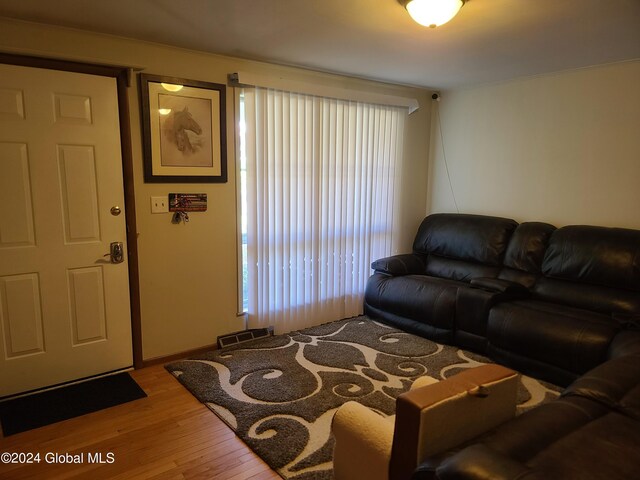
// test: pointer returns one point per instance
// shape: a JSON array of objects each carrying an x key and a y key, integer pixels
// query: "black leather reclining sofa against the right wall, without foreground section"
[{"x": 551, "y": 303}]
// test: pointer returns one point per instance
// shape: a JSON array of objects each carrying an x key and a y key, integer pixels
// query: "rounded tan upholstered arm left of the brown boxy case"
[{"x": 363, "y": 443}]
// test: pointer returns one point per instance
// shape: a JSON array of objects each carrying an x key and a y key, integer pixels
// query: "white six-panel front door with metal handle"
[{"x": 64, "y": 307}]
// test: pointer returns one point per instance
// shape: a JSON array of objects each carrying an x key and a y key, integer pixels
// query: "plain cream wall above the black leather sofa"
[{"x": 561, "y": 148}]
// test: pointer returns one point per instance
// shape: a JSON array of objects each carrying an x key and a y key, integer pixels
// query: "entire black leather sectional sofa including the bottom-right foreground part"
[{"x": 558, "y": 304}]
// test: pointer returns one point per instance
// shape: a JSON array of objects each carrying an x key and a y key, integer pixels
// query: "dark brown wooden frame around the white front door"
[{"x": 123, "y": 77}]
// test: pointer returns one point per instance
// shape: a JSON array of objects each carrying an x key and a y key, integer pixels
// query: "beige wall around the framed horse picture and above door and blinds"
[{"x": 188, "y": 273}]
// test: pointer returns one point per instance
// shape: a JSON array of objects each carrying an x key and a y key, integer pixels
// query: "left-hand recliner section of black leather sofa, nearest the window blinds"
[{"x": 417, "y": 291}]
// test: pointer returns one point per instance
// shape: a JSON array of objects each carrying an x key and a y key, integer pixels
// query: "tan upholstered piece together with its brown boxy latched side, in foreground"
[{"x": 431, "y": 418}]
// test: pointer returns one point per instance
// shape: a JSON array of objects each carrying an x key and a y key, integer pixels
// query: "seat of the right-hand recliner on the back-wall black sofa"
[{"x": 546, "y": 334}]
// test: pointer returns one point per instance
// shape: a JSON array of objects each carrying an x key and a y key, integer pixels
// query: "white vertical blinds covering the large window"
[{"x": 320, "y": 189}]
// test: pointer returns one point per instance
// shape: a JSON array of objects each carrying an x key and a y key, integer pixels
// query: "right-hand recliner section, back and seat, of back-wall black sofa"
[{"x": 589, "y": 291}]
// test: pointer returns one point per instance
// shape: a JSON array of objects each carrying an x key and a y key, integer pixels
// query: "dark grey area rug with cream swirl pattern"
[{"x": 279, "y": 394}]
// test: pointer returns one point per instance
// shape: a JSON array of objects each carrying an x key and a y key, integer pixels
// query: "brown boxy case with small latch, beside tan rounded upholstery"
[{"x": 438, "y": 417}]
